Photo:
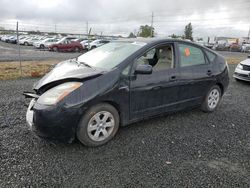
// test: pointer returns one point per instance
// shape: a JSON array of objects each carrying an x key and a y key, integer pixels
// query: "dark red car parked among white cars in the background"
[{"x": 66, "y": 45}]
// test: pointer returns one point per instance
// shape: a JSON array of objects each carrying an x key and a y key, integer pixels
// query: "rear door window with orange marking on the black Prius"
[{"x": 190, "y": 55}]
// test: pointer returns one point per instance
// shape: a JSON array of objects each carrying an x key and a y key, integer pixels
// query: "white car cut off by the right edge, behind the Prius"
[{"x": 242, "y": 71}]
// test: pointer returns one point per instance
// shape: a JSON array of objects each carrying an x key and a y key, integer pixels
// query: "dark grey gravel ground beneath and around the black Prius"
[{"x": 184, "y": 149}]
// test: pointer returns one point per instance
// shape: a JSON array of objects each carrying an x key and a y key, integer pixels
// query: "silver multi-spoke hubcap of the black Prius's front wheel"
[{"x": 101, "y": 126}]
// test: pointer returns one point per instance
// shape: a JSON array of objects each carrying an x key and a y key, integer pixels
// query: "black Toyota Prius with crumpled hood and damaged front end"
[{"x": 122, "y": 82}]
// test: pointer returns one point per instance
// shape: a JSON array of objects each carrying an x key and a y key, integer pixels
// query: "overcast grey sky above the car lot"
[{"x": 210, "y": 18}]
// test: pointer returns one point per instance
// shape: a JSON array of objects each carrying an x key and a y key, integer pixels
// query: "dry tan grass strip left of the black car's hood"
[{"x": 11, "y": 70}]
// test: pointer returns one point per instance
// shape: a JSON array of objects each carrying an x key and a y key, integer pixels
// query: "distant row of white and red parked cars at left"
[{"x": 54, "y": 43}]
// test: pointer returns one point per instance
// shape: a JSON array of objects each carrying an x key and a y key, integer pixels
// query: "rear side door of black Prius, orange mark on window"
[{"x": 196, "y": 73}]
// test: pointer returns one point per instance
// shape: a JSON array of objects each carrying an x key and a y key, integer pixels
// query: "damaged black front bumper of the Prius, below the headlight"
[{"x": 52, "y": 122}]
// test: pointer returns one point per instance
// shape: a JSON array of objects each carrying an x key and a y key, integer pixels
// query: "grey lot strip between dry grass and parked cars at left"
[{"x": 9, "y": 52}]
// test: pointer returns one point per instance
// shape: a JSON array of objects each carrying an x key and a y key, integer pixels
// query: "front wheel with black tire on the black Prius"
[{"x": 90, "y": 132}]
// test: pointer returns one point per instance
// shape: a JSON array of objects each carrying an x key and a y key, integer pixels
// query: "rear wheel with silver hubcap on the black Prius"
[{"x": 212, "y": 99}]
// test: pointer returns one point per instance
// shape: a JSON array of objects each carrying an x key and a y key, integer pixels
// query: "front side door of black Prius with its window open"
[{"x": 158, "y": 92}]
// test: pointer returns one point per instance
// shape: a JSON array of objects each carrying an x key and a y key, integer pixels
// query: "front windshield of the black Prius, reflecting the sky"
[{"x": 110, "y": 55}]
